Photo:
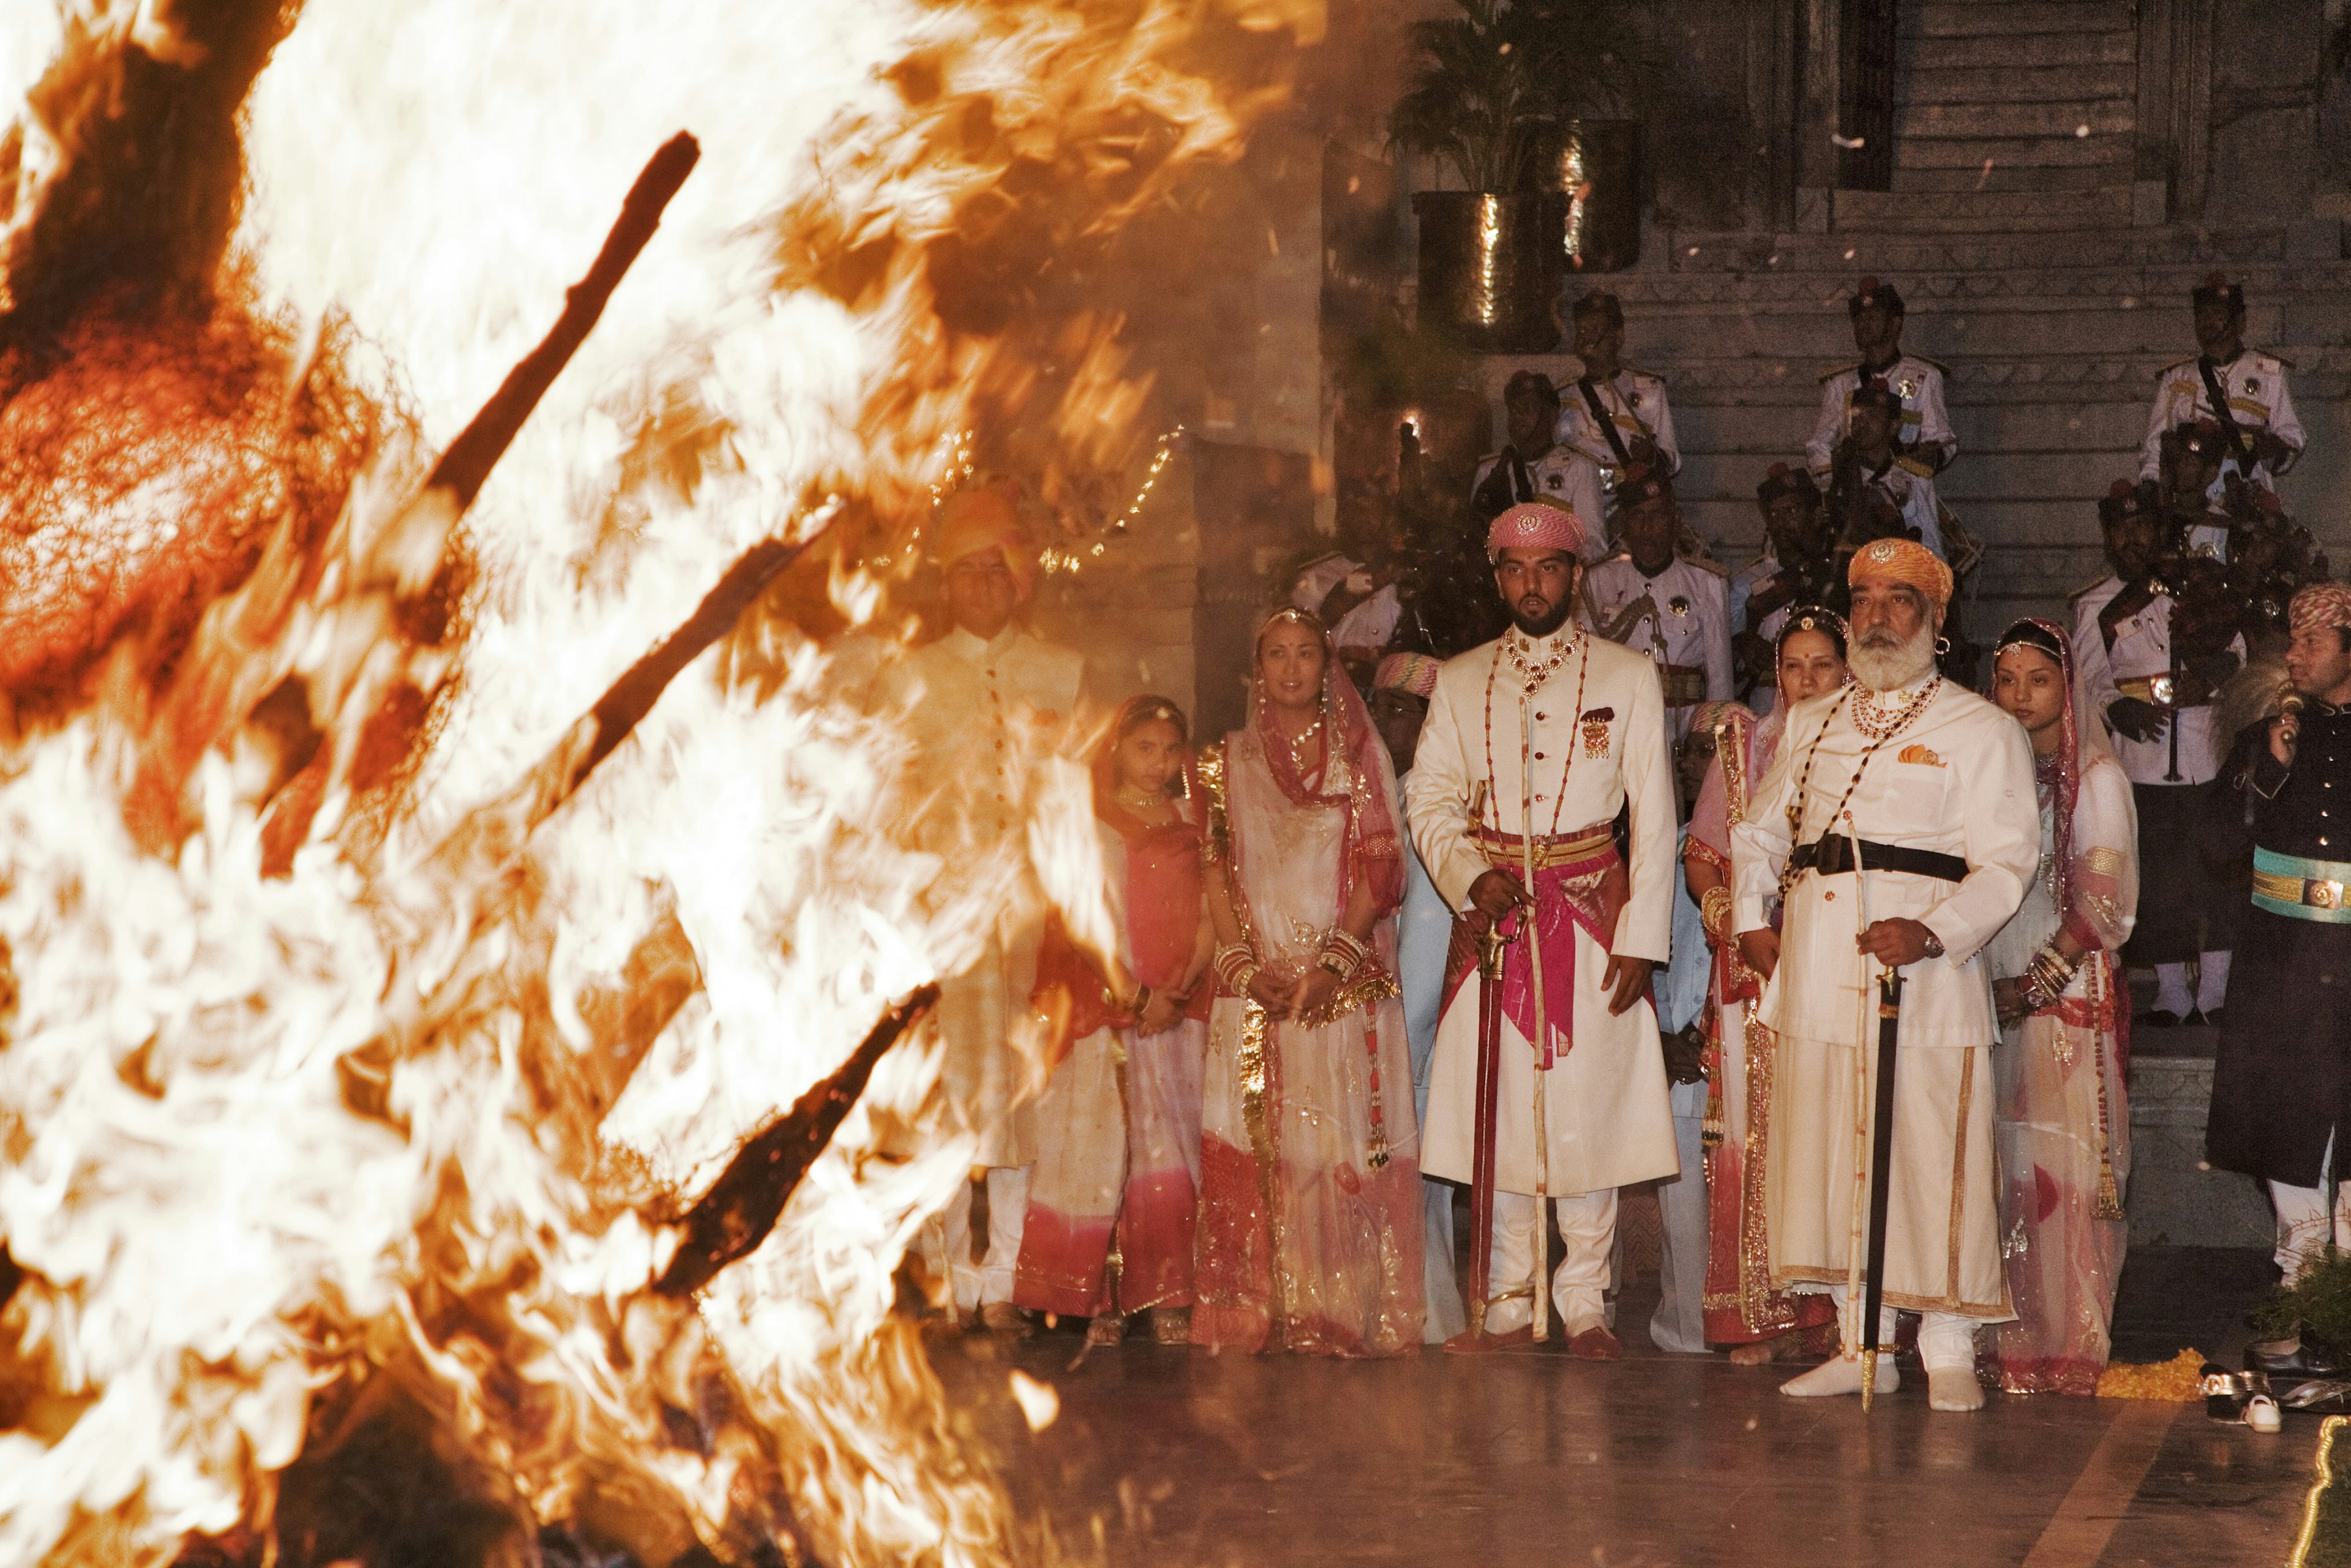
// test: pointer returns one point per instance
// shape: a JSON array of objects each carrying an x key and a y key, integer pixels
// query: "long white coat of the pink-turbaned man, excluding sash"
[{"x": 1607, "y": 1113}]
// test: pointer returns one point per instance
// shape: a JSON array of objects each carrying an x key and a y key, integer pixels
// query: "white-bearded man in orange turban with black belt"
[{"x": 1938, "y": 786}]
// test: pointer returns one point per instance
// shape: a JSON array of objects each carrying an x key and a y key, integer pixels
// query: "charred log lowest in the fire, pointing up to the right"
[{"x": 749, "y": 1198}]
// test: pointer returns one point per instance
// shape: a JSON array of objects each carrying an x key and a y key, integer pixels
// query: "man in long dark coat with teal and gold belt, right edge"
[{"x": 2282, "y": 1090}]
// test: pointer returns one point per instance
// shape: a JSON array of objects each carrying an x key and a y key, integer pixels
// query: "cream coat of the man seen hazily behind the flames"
[{"x": 982, "y": 716}]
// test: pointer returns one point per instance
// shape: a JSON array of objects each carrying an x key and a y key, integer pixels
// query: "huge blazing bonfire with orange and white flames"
[{"x": 368, "y": 1045}]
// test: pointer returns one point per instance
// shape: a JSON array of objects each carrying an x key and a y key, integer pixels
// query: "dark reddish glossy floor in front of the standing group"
[{"x": 1532, "y": 1459}]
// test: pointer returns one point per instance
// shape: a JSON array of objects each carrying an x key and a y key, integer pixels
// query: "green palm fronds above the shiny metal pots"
[{"x": 1494, "y": 76}]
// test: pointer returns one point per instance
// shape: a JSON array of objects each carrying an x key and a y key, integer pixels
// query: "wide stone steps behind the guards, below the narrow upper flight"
[{"x": 2051, "y": 337}]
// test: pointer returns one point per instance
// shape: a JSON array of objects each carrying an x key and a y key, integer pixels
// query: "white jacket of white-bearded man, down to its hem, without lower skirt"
[{"x": 1960, "y": 779}]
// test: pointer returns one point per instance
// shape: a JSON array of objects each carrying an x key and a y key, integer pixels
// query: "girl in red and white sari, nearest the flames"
[{"x": 1116, "y": 1188}]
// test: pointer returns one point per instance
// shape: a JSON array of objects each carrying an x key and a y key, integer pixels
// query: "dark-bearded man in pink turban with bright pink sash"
[{"x": 1532, "y": 749}]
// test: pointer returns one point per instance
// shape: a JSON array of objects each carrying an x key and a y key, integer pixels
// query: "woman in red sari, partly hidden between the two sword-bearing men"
[{"x": 1741, "y": 1306}]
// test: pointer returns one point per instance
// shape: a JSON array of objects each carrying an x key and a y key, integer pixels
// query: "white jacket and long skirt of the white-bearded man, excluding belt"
[{"x": 1960, "y": 779}]
